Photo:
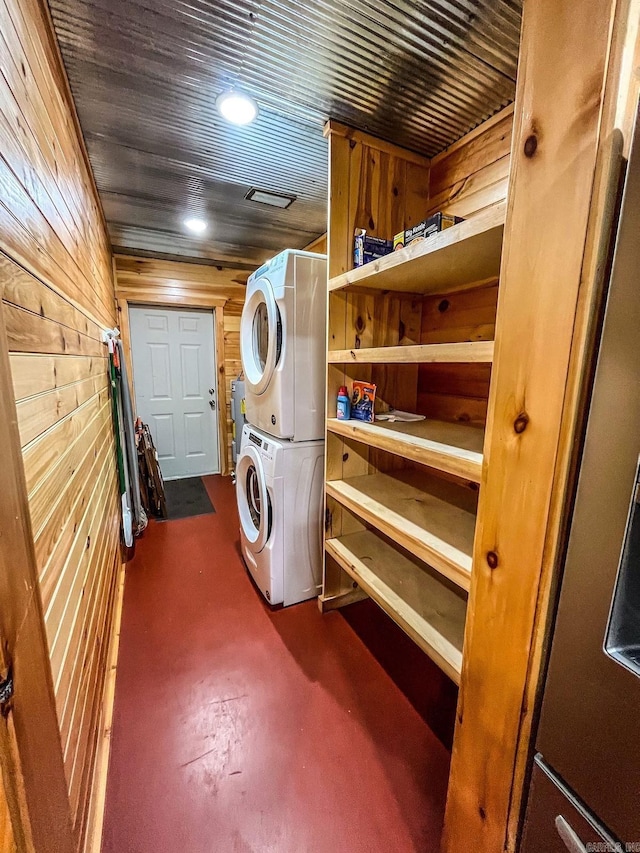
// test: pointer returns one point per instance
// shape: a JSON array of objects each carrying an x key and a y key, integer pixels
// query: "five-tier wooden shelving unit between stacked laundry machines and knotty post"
[{"x": 419, "y": 324}]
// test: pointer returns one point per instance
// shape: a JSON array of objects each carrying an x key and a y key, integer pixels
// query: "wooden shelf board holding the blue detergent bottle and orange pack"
[{"x": 453, "y": 448}]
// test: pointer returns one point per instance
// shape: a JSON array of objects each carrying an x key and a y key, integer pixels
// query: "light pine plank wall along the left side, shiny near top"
[{"x": 57, "y": 281}]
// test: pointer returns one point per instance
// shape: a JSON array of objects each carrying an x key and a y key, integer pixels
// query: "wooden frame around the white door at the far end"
[{"x": 206, "y": 303}]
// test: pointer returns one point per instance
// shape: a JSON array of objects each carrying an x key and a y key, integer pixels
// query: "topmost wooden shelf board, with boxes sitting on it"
[{"x": 445, "y": 262}]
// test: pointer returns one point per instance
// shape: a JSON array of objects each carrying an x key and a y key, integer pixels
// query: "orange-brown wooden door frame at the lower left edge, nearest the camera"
[{"x": 30, "y": 745}]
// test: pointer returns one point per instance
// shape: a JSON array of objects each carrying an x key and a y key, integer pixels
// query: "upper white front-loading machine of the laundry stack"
[{"x": 283, "y": 343}]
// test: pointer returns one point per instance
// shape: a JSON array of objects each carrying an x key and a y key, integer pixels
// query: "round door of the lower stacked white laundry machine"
[{"x": 254, "y": 503}]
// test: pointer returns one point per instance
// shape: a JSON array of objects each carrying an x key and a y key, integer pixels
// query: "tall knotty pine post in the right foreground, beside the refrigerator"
[{"x": 560, "y": 92}]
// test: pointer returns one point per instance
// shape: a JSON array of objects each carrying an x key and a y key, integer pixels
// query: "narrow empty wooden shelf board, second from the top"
[{"x": 465, "y": 352}]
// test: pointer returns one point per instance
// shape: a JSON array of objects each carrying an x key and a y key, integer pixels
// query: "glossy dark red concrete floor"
[{"x": 240, "y": 728}]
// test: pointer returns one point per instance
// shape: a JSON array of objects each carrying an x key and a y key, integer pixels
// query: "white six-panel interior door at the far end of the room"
[{"x": 174, "y": 374}]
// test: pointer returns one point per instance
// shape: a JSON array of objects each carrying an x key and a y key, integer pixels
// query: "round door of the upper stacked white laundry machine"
[{"x": 260, "y": 337}]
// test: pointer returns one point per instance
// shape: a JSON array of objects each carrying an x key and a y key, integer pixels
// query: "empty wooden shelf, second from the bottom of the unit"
[{"x": 434, "y": 530}]
